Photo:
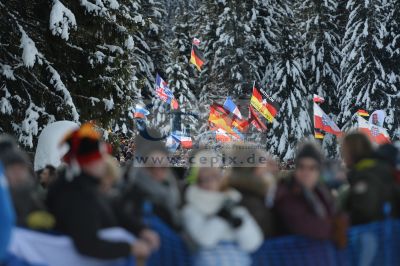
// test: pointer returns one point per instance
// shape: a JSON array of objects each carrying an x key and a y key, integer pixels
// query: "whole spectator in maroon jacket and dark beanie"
[{"x": 304, "y": 206}]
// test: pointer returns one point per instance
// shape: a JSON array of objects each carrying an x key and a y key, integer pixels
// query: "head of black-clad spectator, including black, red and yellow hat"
[{"x": 86, "y": 151}]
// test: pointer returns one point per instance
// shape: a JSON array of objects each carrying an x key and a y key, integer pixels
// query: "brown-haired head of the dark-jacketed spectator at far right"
[{"x": 355, "y": 147}]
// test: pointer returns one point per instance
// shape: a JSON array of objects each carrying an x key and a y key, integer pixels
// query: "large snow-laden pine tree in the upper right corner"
[{"x": 369, "y": 79}]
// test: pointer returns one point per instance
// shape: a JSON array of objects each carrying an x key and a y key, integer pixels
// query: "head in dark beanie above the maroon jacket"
[{"x": 308, "y": 165}]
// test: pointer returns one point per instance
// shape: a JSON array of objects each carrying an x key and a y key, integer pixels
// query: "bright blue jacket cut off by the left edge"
[{"x": 6, "y": 215}]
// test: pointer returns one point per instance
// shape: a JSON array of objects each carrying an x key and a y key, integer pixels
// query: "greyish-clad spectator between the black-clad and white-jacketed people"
[{"x": 152, "y": 187}]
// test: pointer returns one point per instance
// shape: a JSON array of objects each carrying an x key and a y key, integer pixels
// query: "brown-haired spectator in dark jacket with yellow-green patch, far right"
[{"x": 372, "y": 189}]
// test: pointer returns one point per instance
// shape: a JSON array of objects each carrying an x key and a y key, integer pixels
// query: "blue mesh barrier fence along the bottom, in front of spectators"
[{"x": 372, "y": 244}]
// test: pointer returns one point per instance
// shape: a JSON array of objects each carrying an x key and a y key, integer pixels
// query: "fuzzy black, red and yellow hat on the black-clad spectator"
[{"x": 85, "y": 145}]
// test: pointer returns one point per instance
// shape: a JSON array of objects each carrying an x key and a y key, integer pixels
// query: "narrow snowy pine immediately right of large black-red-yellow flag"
[{"x": 289, "y": 87}]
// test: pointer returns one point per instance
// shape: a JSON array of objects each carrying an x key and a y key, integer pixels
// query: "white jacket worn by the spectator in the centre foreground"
[{"x": 207, "y": 229}]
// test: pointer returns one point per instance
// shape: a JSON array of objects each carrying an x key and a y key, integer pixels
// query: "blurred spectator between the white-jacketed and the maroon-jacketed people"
[{"x": 256, "y": 183}]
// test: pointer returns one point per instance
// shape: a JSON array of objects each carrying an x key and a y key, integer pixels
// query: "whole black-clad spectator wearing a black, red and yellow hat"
[{"x": 80, "y": 209}]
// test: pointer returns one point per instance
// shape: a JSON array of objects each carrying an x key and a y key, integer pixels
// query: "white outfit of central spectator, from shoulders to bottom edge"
[{"x": 212, "y": 233}]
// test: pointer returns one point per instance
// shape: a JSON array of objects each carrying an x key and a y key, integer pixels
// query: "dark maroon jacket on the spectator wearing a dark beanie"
[{"x": 297, "y": 210}]
